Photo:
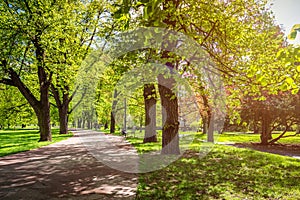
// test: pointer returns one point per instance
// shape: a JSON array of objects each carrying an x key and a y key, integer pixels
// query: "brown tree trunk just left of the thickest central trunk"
[{"x": 150, "y": 113}]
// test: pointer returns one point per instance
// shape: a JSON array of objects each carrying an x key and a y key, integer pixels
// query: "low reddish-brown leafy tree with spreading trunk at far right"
[{"x": 275, "y": 112}]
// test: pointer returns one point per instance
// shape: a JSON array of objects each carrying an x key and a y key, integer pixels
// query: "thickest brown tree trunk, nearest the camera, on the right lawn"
[{"x": 169, "y": 101}]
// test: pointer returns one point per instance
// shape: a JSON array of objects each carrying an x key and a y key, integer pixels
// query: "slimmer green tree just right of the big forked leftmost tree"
[{"x": 84, "y": 27}]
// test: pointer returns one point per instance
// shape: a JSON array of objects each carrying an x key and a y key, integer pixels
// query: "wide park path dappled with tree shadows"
[{"x": 70, "y": 169}]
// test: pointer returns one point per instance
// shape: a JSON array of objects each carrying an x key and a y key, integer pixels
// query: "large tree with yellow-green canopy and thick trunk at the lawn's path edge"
[{"x": 240, "y": 37}]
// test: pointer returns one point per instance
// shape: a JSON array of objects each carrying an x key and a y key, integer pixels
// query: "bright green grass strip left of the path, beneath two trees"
[{"x": 14, "y": 141}]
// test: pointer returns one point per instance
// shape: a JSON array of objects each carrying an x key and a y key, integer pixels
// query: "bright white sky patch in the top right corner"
[{"x": 287, "y": 13}]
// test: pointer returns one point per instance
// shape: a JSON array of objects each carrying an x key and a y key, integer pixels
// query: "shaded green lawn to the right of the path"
[{"x": 224, "y": 173}]
